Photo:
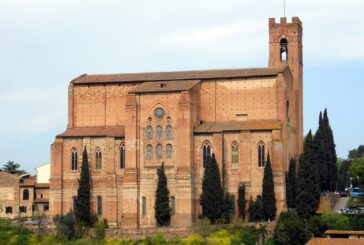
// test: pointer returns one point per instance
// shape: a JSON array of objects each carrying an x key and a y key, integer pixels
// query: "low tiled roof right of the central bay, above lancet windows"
[{"x": 219, "y": 126}]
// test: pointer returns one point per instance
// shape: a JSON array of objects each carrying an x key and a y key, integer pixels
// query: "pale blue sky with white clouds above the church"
[{"x": 44, "y": 44}]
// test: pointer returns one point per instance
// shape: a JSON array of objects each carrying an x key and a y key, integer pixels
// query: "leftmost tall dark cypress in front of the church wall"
[{"x": 83, "y": 201}]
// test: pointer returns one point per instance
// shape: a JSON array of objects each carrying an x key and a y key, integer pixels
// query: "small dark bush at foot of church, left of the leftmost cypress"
[{"x": 66, "y": 226}]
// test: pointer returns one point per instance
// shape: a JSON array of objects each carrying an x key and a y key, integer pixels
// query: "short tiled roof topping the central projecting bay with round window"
[{"x": 163, "y": 86}]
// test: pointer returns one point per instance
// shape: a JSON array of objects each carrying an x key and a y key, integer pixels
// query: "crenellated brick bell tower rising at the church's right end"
[{"x": 285, "y": 47}]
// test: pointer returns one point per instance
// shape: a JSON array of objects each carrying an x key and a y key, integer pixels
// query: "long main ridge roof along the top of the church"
[{"x": 177, "y": 75}]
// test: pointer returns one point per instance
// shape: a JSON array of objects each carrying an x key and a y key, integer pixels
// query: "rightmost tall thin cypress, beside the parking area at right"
[{"x": 332, "y": 158}]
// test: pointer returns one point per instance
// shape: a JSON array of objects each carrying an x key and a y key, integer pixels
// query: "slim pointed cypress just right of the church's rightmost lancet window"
[{"x": 269, "y": 199}]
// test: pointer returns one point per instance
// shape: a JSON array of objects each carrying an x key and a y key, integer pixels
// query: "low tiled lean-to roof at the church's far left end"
[{"x": 93, "y": 132}]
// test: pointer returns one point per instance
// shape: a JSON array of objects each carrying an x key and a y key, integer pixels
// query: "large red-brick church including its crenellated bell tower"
[{"x": 131, "y": 123}]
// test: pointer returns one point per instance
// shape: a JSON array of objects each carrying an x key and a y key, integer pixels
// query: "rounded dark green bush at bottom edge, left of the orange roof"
[{"x": 290, "y": 229}]
